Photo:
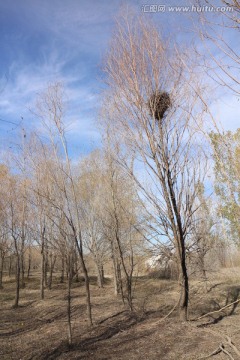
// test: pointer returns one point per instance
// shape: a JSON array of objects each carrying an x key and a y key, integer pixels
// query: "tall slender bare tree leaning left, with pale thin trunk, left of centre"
[{"x": 50, "y": 110}]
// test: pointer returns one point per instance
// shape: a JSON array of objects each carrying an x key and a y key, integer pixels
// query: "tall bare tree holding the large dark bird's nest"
[{"x": 153, "y": 115}]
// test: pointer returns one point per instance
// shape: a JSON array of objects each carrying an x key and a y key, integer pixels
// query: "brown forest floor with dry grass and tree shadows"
[{"x": 37, "y": 329}]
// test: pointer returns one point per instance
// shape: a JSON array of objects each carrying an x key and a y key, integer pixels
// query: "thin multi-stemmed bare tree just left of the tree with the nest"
[{"x": 120, "y": 219}]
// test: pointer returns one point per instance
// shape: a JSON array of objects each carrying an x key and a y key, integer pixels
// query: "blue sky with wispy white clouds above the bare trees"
[{"x": 46, "y": 41}]
